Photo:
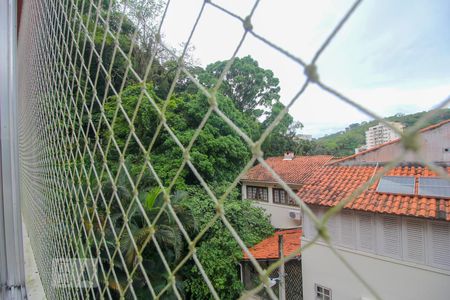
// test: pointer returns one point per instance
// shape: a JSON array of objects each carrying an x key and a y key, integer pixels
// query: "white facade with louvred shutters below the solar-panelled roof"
[{"x": 399, "y": 257}]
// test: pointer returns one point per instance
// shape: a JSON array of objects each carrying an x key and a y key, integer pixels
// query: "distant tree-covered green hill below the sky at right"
[{"x": 344, "y": 142}]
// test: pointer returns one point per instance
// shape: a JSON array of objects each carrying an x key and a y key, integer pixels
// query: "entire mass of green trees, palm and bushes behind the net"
[{"x": 132, "y": 153}]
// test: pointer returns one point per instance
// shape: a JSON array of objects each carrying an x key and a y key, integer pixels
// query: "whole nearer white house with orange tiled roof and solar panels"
[{"x": 395, "y": 234}]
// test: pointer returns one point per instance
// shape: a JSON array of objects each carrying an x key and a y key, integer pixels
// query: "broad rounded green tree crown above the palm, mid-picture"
[{"x": 218, "y": 153}]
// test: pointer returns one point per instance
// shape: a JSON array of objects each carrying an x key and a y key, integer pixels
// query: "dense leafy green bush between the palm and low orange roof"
[{"x": 218, "y": 251}]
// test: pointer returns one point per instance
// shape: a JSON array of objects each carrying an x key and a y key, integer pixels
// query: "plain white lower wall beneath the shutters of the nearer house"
[{"x": 391, "y": 280}]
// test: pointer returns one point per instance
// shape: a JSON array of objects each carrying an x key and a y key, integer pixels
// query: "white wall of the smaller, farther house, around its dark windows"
[{"x": 279, "y": 214}]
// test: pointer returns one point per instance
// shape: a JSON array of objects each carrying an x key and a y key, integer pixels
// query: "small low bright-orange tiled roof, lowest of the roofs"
[{"x": 268, "y": 248}]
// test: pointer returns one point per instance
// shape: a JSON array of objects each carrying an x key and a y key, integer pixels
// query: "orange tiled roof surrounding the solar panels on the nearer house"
[{"x": 333, "y": 183}]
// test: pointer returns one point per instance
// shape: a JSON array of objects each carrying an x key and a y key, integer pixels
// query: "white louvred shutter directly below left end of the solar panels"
[{"x": 391, "y": 238}]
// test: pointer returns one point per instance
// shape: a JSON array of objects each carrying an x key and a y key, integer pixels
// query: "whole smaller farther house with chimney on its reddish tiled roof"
[{"x": 259, "y": 186}]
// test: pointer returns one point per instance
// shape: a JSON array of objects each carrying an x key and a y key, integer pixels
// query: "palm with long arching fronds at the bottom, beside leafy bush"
[{"x": 165, "y": 231}]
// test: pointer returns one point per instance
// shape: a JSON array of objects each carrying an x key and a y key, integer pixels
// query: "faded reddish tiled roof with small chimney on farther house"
[{"x": 294, "y": 171}]
